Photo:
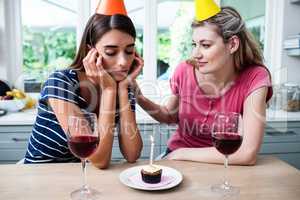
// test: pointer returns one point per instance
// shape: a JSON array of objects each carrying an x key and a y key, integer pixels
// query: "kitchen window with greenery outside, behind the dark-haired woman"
[{"x": 49, "y": 40}]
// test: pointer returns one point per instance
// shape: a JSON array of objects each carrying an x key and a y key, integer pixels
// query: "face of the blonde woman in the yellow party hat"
[{"x": 210, "y": 52}]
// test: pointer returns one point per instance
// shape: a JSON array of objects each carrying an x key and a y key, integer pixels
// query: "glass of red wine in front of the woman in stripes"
[{"x": 83, "y": 139}]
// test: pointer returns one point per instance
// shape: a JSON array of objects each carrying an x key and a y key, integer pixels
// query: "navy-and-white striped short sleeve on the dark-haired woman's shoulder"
[{"x": 59, "y": 86}]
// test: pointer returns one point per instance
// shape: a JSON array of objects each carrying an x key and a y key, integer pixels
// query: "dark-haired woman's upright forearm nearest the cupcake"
[{"x": 129, "y": 138}]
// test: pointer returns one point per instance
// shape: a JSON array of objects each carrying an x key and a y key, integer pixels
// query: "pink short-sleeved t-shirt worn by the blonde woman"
[{"x": 197, "y": 110}]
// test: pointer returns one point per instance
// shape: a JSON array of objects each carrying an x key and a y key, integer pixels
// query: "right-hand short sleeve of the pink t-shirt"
[{"x": 259, "y": 77}]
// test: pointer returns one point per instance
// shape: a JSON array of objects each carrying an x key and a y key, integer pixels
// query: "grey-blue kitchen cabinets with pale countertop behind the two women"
[{"x": 281, "y": 139}]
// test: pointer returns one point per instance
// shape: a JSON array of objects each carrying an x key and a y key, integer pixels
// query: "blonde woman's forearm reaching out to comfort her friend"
[{"x": 158, "y": 112}]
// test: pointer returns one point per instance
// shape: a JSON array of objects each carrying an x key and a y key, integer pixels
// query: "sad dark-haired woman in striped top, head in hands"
[{"x": 98, "y": 81}]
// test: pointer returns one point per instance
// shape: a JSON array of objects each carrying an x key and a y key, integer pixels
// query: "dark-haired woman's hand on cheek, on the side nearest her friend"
[{"x": 137, "y": 67}]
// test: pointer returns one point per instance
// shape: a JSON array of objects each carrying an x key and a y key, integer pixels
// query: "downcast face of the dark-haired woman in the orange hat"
[{"x": 117, "y": 50}]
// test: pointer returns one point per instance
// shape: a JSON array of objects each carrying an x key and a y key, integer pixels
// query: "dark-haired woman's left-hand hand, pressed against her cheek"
[{"x": 95, "y": 72}]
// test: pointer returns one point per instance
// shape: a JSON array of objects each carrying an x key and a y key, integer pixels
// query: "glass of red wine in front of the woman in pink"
[{"x": 227, "y": 136}]
